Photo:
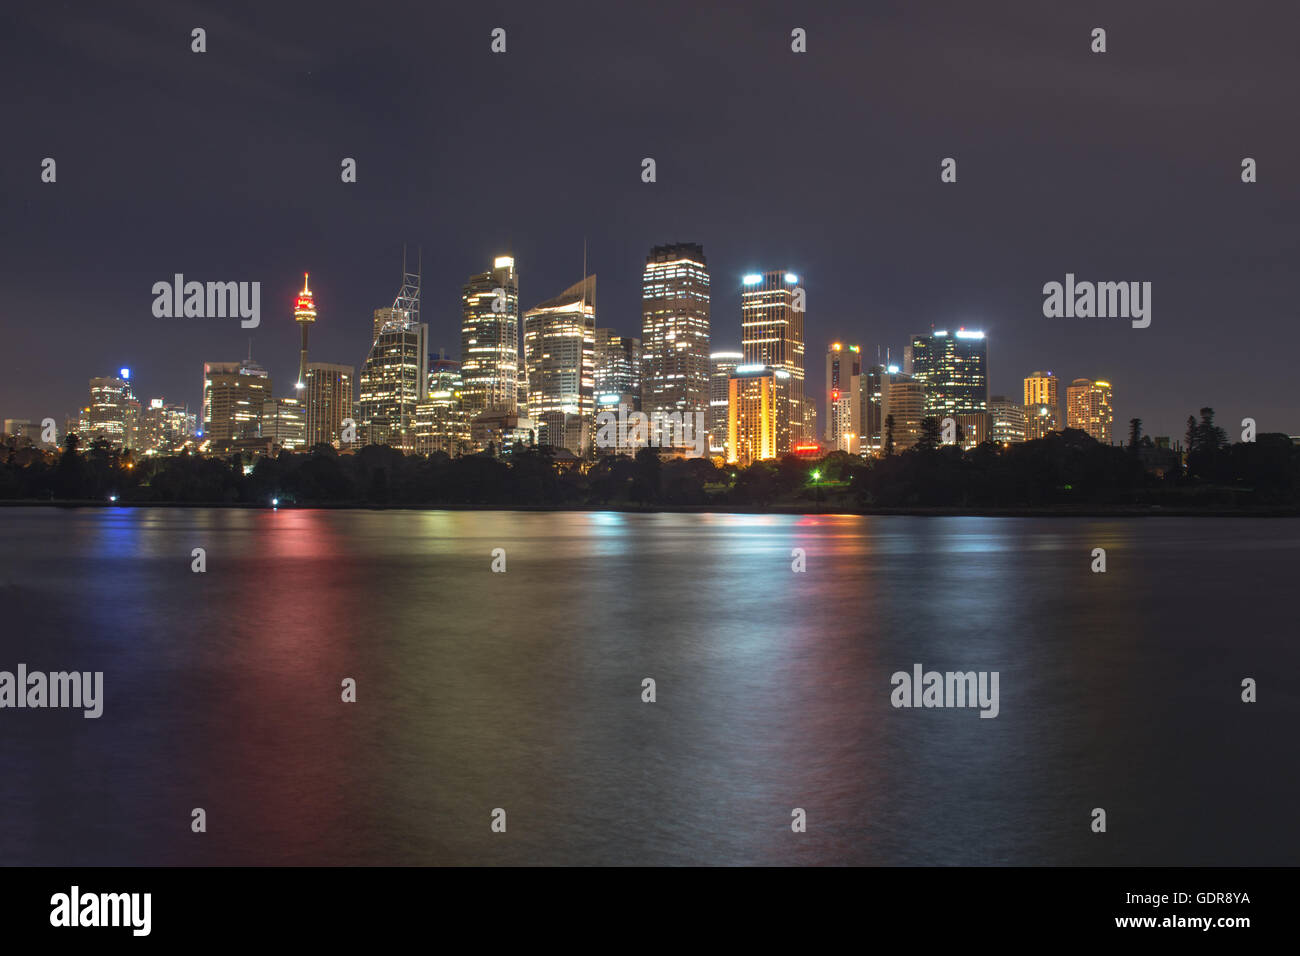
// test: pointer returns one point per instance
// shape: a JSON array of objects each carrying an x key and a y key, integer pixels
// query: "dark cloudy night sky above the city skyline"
[{"x": 226, "y": 166}]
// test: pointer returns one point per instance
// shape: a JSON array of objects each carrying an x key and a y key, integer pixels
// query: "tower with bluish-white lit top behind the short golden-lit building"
[{"x": 773, "y": 314}]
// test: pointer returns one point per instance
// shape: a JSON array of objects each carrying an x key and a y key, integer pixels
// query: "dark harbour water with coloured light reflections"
[{"x": 523, "y": 690}]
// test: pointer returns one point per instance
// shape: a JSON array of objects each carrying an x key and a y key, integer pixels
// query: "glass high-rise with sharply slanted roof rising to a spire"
[{"x": 560, "y": 352}]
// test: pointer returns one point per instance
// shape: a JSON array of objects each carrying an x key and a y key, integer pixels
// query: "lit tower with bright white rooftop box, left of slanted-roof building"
[{"x": 489, "y": 340}]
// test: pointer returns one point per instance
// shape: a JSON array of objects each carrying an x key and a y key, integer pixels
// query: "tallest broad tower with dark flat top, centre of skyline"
[{"x": 675, "y": 331}]
